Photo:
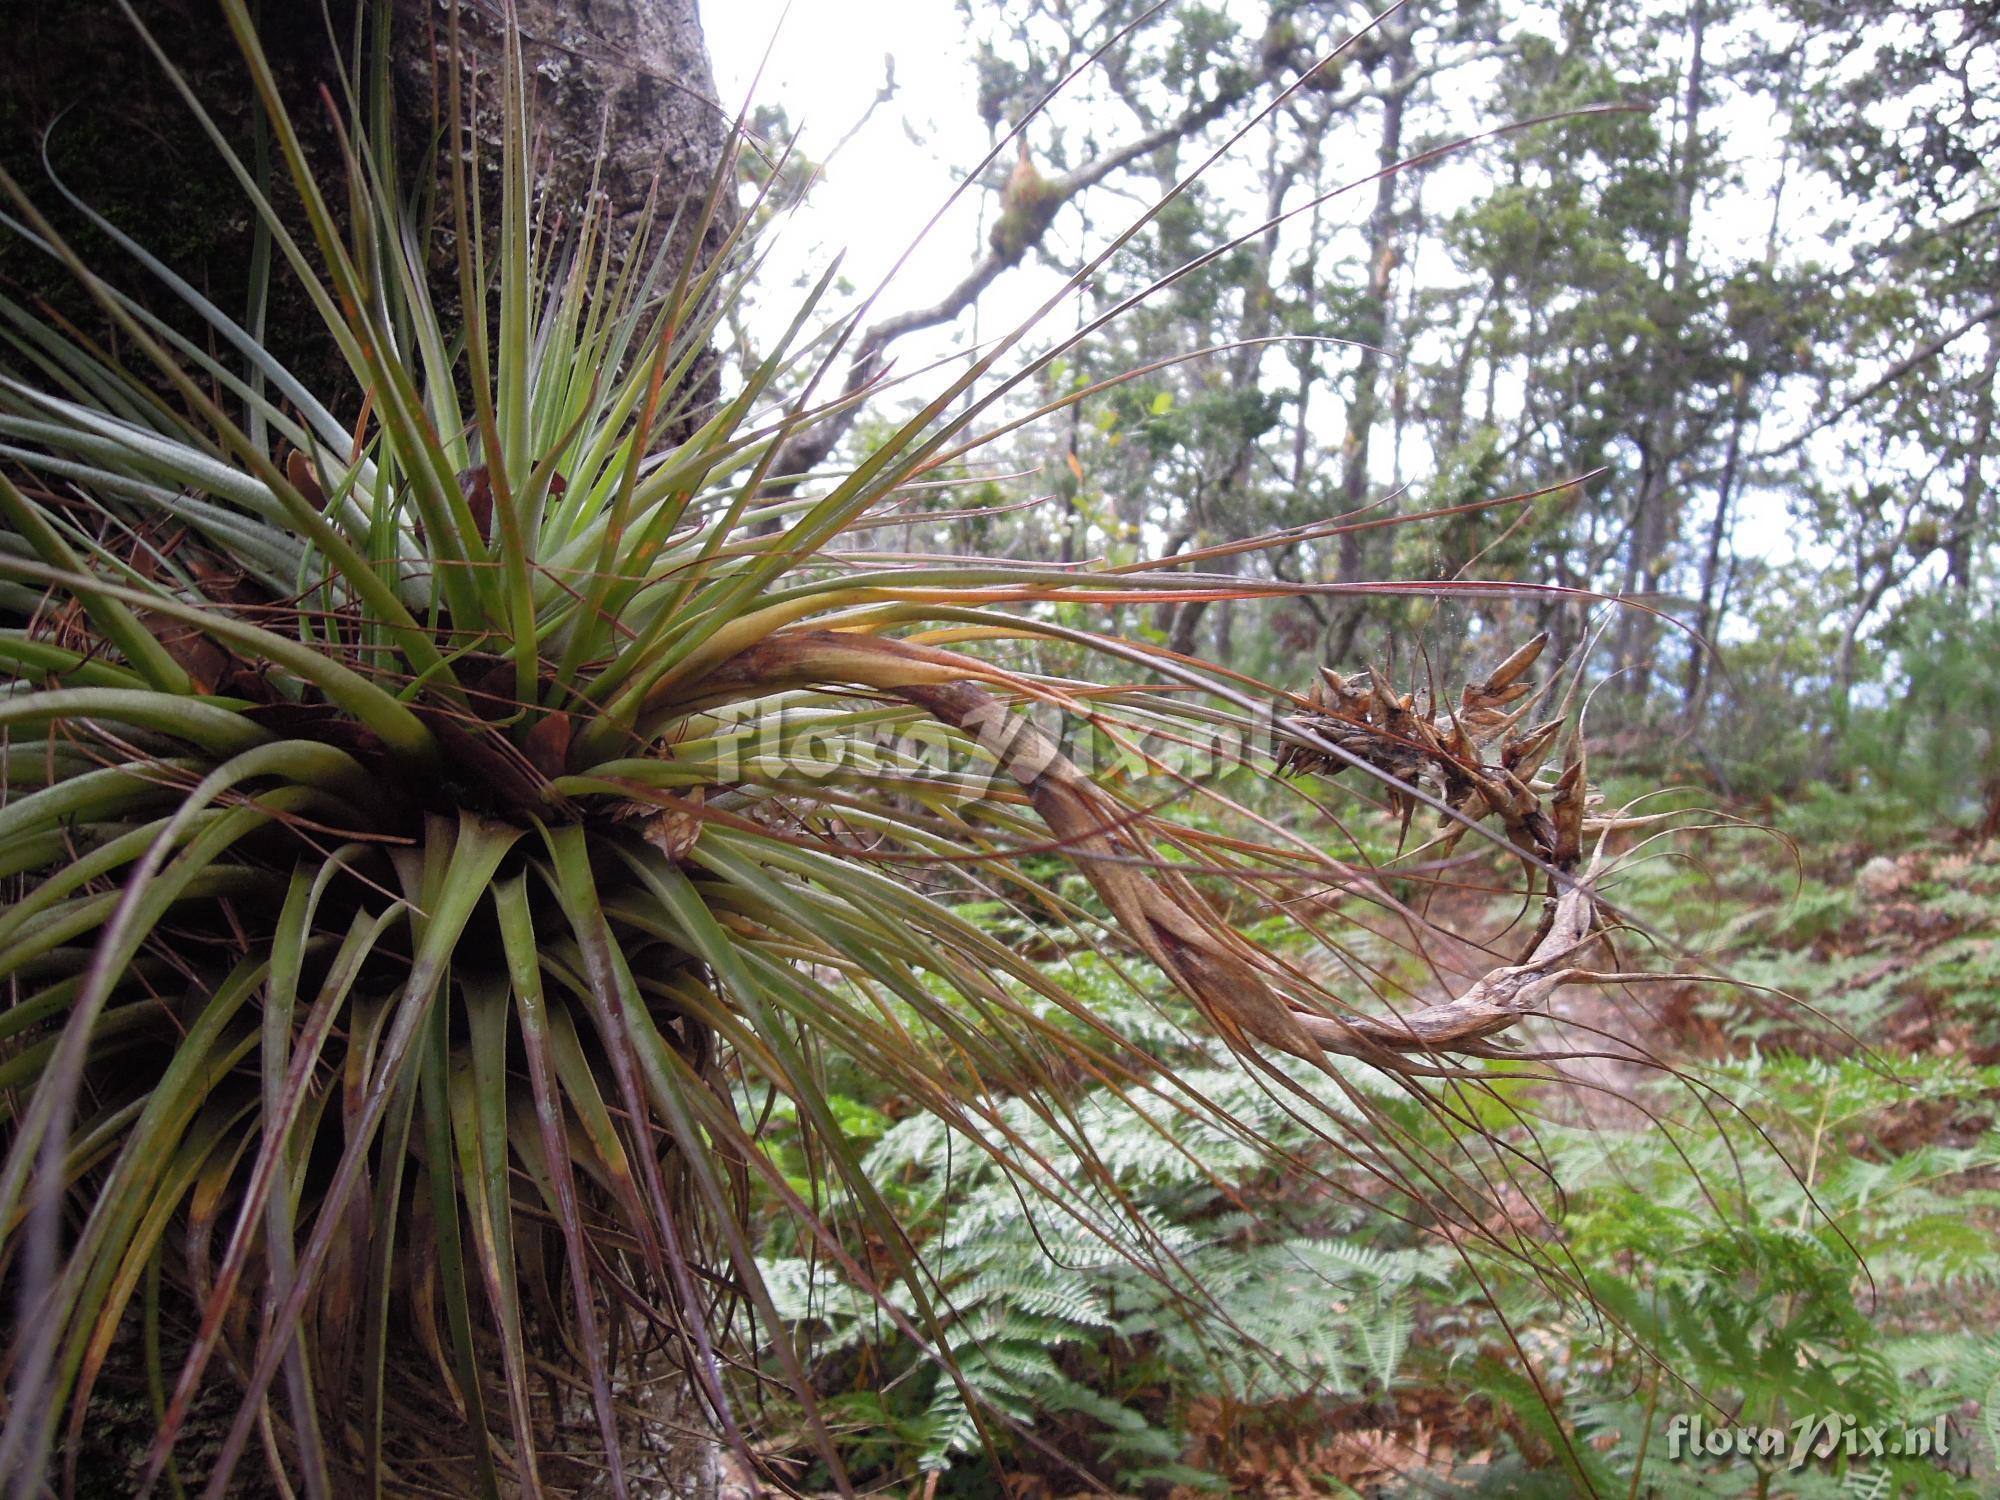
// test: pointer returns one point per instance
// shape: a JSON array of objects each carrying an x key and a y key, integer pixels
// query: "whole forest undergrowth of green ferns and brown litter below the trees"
[{"x": 1795, "y": 1219}]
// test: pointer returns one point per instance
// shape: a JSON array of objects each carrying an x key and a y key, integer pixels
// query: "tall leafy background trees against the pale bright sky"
[{"x": 1747, "y": 297}]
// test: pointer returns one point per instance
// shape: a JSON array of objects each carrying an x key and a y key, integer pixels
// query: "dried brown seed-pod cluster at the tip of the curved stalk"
[{"x": 1477, "y": 759}]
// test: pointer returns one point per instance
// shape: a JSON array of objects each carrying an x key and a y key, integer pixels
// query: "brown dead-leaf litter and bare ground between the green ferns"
[{"x": 1887, "y": 955}]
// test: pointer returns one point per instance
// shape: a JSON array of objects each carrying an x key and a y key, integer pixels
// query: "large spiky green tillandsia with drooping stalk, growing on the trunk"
[{"x": 431, "y": 801}]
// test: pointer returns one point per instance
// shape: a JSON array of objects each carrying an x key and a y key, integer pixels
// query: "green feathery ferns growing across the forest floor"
[{"x": 1781, "y": 1239}]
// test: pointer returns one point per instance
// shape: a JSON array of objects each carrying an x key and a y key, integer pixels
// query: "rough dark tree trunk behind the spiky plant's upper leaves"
[{"x": 625, "y": 99}]
